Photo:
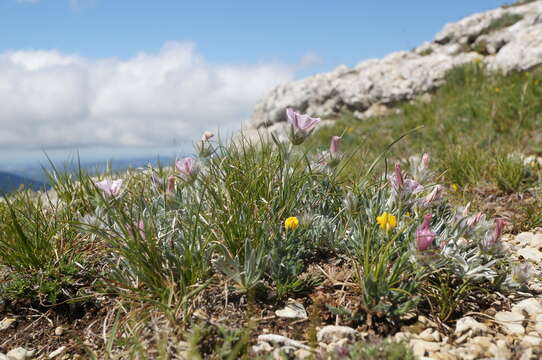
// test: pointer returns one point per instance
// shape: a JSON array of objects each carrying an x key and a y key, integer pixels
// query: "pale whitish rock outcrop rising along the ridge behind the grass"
[{"x": 505, "y": 39}]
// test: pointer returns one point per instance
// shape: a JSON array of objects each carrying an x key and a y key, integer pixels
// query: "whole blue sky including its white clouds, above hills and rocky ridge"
[{"x": 133, "y": 78}]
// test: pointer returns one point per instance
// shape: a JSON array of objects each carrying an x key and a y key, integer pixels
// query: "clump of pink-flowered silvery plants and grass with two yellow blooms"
[{"x": 257, "y": 216}]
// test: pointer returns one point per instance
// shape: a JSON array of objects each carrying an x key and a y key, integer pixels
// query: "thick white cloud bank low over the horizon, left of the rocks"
[{"x": 51, "y": 99}]
